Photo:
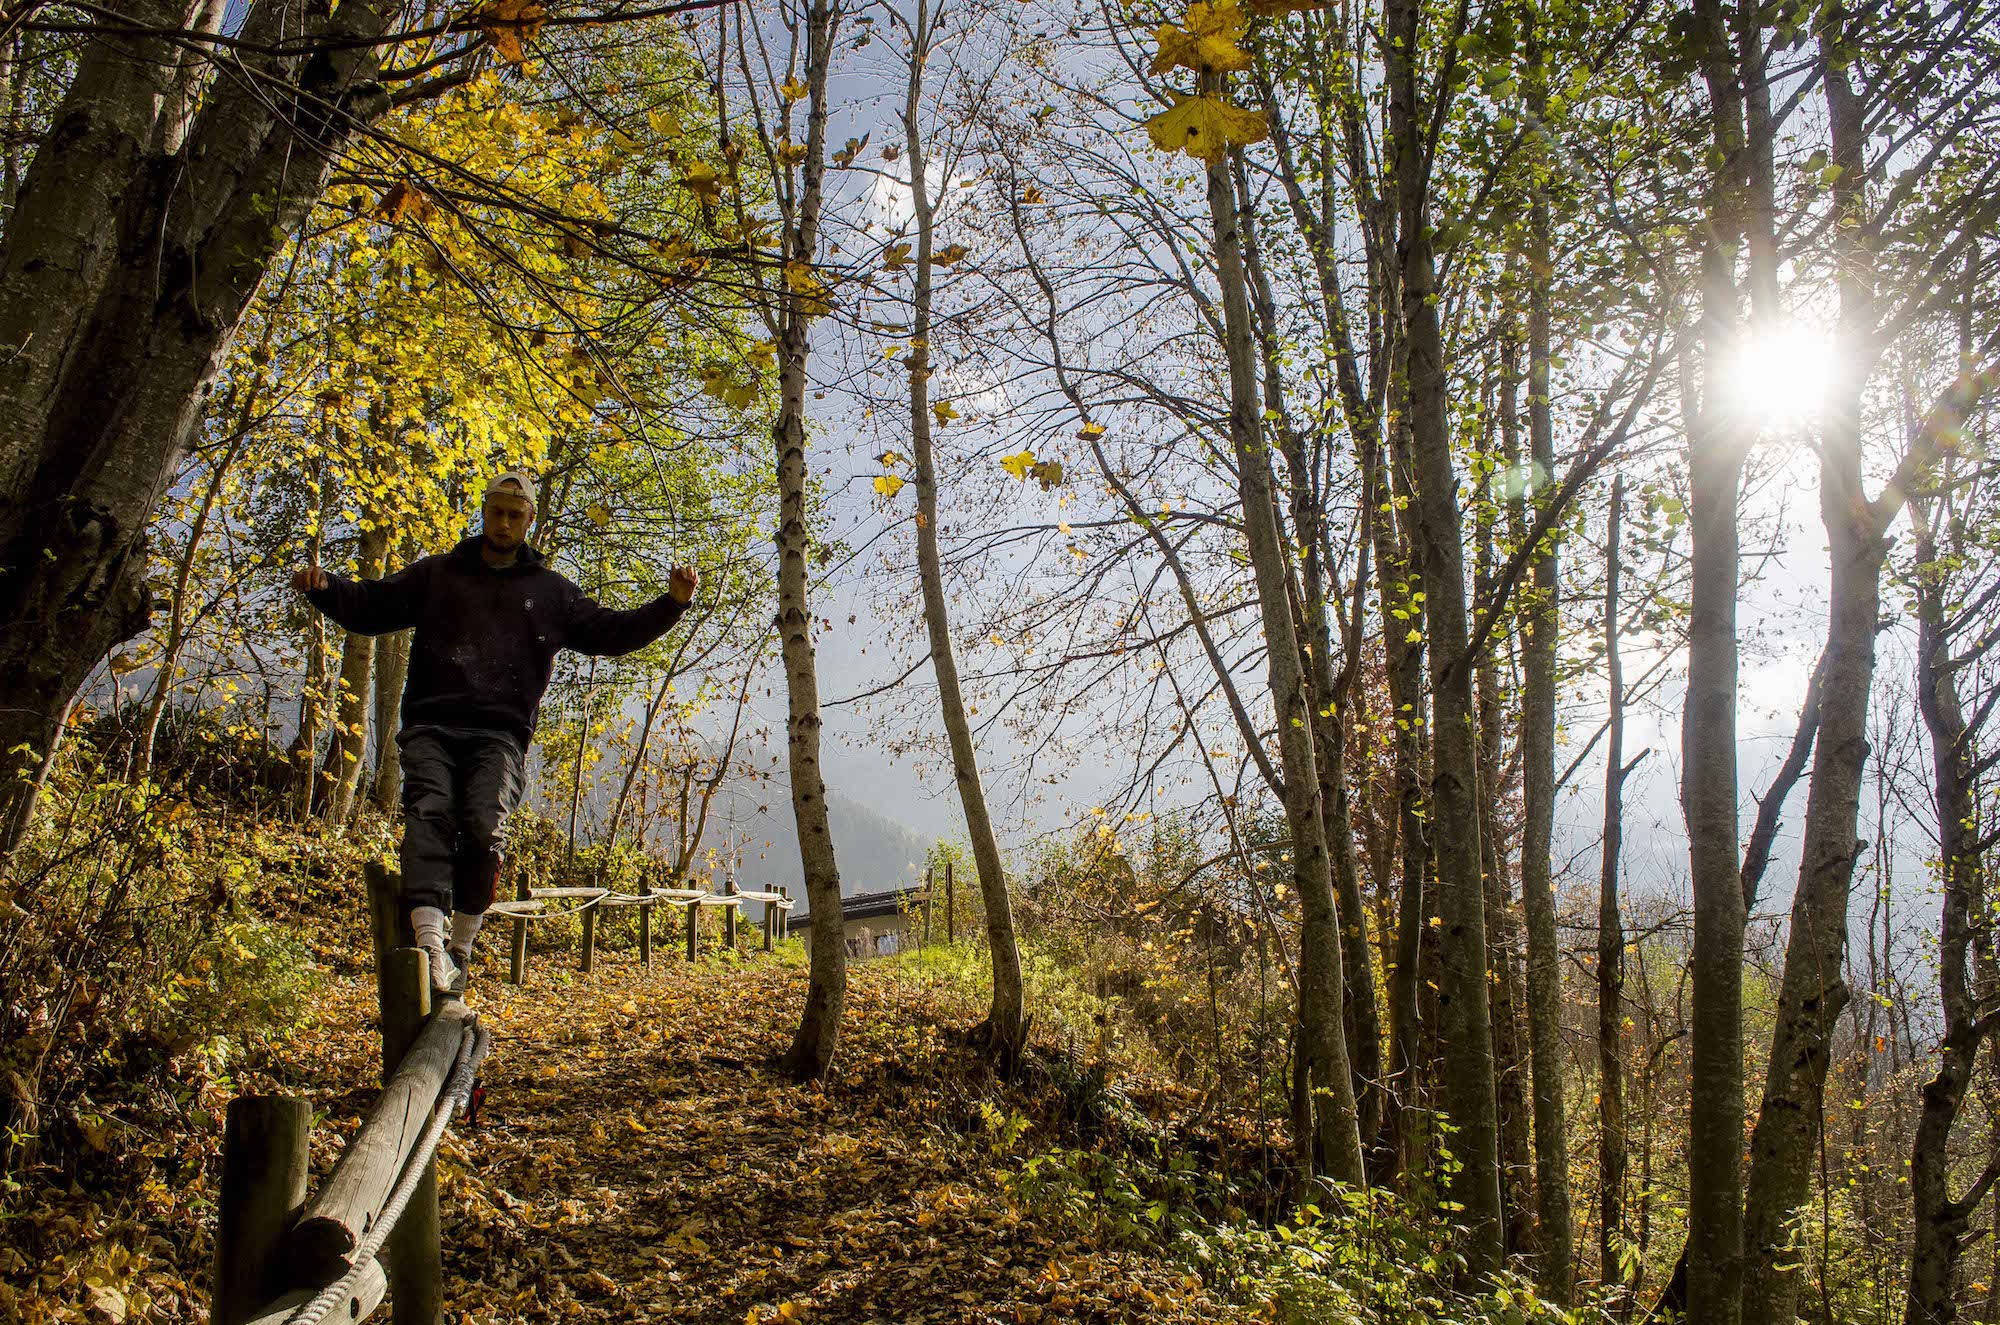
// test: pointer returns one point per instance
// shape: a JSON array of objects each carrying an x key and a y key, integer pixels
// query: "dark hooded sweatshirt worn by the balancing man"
[{"x": 487, "y": 637}]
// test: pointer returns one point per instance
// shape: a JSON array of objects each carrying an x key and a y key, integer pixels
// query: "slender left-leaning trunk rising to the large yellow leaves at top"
[{"x": 1319, "y": 974}]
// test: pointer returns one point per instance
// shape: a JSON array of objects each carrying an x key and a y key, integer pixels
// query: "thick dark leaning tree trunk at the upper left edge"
[{"x": 121, "y": 287}]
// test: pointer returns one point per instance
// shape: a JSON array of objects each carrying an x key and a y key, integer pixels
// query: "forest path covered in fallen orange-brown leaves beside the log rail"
[{"x": 639, "y": 1160}]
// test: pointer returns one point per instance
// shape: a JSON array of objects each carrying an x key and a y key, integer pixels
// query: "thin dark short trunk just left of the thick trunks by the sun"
[{"x": 1611, "y": 934}]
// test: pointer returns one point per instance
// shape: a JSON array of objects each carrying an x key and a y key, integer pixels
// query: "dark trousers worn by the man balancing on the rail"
[{"x": 459, "y": 786}]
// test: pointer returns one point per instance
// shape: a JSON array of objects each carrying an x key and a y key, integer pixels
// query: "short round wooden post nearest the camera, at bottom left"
[{"x": 265, "y": 1160}]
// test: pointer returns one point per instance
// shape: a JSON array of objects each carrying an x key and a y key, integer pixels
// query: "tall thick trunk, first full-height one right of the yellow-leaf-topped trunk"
[{"x": 1467, "y": 1030}]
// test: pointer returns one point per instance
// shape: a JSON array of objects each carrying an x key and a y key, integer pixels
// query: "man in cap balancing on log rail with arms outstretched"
[{"x": 489, "y": 621}]
